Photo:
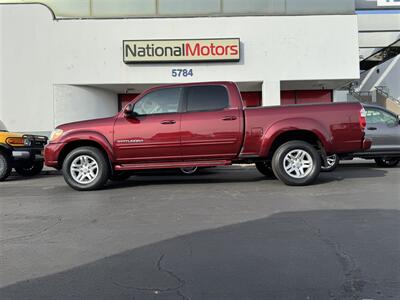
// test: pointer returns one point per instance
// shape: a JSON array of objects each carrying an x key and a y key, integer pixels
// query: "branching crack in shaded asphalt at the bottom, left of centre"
[{"x": 156, "y": 290}]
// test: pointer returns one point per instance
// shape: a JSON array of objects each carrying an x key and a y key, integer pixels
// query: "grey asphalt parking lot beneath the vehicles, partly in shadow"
[{"x": 227, "y": 233}]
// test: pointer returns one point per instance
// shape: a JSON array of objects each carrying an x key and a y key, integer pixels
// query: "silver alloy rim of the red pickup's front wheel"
[{"x": 84, "y": 169}]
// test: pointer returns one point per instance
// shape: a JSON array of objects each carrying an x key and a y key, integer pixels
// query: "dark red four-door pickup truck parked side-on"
[{"x": 203, "y": 125}]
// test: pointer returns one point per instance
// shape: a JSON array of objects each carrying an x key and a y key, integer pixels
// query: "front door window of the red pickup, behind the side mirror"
[{"x": 159, "y": 102}]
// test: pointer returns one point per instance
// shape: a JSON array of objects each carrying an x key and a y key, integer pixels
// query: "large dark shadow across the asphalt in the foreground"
[{"x": 326, "y": 254}]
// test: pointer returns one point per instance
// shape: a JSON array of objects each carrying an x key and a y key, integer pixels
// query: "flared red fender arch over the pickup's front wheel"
[{"x": 88, "y": 135}]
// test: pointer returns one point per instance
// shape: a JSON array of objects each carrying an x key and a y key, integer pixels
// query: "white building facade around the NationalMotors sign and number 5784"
[{"x": 40, "y": 53}]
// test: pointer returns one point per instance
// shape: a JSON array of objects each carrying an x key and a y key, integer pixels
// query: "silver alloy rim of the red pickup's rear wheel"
[{"x": 298, "y": 163}]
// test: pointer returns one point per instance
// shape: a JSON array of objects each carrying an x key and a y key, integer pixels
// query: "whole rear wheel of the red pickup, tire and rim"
[{"x": 296, "y": 163}]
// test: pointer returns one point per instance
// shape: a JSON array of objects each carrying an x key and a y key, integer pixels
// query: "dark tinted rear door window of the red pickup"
[{"x": 206, "y": 98}]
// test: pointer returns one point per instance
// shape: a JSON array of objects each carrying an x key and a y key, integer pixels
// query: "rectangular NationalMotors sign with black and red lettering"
[{"x": 158, "y": 51}]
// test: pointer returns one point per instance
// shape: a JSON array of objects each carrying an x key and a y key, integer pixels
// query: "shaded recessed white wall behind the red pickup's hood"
[{"x": 77, "y": 103}]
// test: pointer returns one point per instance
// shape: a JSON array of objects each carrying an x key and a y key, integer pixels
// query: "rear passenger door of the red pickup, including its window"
[{"x": 210, "y": 127}]
